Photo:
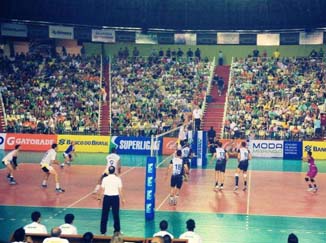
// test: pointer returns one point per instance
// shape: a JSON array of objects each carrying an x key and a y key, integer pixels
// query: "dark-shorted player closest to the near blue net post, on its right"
[{"x": 176, "y": 168}]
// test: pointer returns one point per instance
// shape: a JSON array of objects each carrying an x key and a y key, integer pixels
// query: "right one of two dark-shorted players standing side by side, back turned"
[{"x": 243, "y": 158}]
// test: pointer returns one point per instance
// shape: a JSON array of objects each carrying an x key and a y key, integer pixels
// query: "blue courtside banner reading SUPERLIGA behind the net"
[{"x": 135, "y": 145}]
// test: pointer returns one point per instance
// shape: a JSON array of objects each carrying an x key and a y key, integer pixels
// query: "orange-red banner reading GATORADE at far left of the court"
[{"x": 29, "y": 142}]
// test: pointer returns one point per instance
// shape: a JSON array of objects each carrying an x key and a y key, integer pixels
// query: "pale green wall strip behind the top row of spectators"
[{"x": 210, "y": 51}]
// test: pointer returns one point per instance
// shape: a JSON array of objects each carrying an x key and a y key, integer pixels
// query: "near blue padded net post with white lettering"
[{"x": 150, "y": 188}]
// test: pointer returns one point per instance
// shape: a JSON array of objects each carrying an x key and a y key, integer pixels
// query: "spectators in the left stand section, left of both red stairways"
[{"x": 44, "y": 94}]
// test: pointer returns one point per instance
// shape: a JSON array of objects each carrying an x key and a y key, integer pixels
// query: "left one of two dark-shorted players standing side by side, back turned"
[{"x": 221, "y": 157}]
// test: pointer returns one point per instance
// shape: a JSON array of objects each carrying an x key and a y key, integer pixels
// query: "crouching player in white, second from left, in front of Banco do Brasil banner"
[{"x": 48, "y": 159}]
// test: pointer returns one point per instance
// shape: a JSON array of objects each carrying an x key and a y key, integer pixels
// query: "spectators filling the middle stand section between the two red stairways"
[{"x": 153, "y": 94}]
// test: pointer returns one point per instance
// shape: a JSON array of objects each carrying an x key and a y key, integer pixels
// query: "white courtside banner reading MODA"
[{"x": 266, "y": 148}]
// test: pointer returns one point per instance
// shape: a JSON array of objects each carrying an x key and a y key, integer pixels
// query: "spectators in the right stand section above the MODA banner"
[{"x": 276, "y": 98}]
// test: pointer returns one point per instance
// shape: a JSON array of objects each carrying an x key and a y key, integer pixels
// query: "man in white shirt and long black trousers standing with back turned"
[{"x": 112, "y": 190}]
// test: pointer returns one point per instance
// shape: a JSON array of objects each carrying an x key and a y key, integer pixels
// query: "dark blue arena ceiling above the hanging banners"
[{"x": 172, "y": 14}]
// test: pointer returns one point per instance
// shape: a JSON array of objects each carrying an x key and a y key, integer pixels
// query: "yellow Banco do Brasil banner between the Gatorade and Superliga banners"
[{"x": 93, "y": 144}]
